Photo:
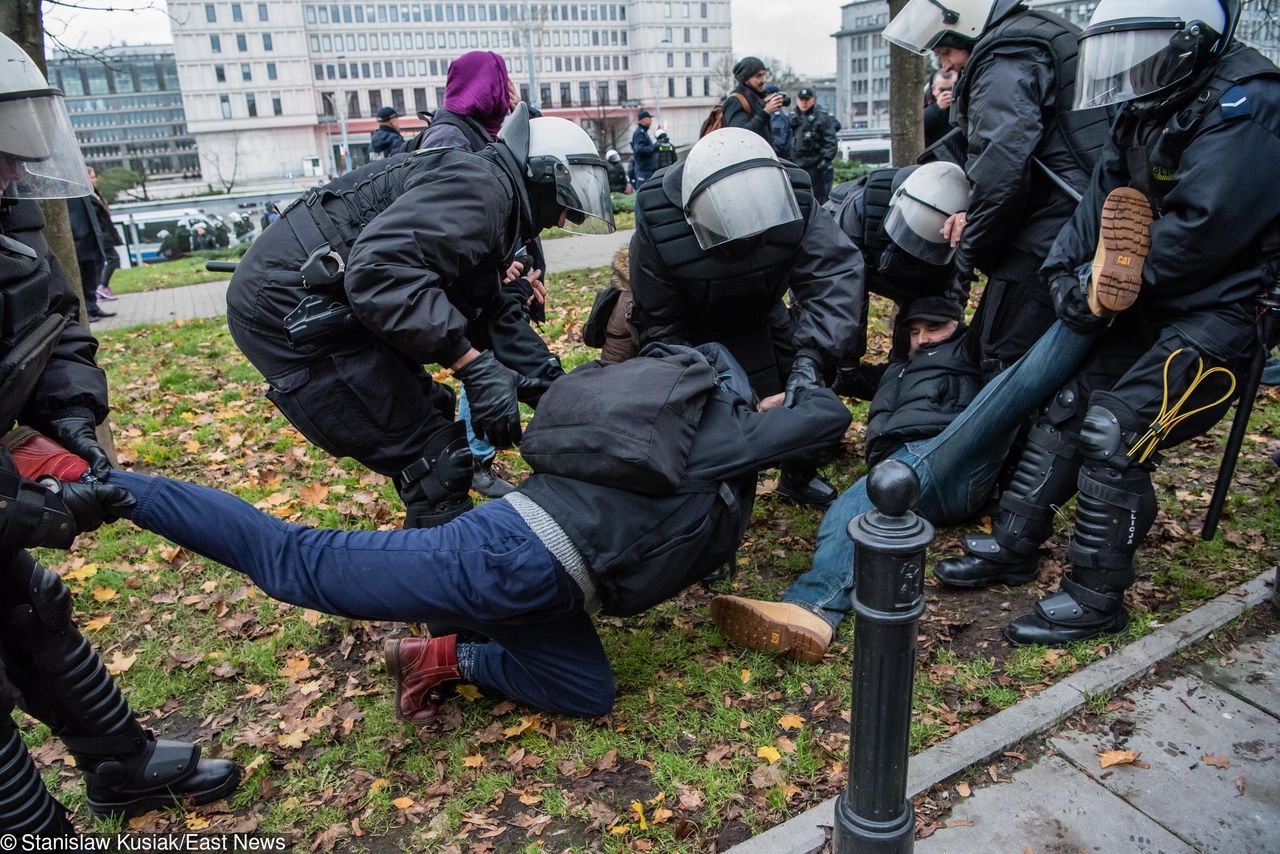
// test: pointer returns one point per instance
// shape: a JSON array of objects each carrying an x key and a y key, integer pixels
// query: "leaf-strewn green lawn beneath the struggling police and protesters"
[{"x": 218, "y": 661}]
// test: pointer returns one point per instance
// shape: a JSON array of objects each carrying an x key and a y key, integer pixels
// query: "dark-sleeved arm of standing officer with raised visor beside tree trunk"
[{"x": 1007, "y": 125}]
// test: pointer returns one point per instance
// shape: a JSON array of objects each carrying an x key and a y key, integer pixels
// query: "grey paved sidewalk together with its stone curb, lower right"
[{"x": 1209, "y": 743}]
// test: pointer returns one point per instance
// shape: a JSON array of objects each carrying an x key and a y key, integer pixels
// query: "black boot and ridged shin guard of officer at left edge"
[{"x": 65, "y": 684}]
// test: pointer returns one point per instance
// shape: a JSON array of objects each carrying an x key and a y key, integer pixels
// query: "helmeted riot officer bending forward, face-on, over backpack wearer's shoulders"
[{"x": 720, "y": 239}]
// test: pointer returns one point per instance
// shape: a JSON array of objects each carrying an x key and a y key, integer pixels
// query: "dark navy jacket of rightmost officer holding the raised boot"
[{"x": 1217, "y": 236}]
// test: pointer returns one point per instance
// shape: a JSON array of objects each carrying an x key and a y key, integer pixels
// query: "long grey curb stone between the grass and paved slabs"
[{"x": 810, "y": 832}]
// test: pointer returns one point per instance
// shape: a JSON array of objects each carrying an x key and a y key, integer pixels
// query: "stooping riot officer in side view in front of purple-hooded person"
[{"x": 400, "y": 264}]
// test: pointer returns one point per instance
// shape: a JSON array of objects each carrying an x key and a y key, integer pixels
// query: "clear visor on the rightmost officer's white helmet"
[{"x": 1122, "y": 65}]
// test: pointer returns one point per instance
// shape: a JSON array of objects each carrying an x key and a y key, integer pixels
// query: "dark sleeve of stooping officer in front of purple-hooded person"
[{"x": 405, "y": 259}]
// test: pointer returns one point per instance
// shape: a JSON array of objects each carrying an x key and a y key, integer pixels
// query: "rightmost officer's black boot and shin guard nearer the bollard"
[{"x": 1044, "y": 479}]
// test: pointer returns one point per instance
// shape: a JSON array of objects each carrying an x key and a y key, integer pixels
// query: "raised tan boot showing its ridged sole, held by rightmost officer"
[{"x": 1124, "y": 241}]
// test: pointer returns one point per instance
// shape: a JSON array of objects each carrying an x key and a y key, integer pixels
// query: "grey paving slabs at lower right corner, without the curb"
[{"x": 1210, "y": 745}]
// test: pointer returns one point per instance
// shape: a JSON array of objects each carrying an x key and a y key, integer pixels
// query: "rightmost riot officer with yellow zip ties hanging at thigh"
[{"x": 1200, "y": 124}]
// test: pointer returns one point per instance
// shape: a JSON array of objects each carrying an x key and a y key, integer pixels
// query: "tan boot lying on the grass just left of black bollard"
[{"x": 772, "y": 627}]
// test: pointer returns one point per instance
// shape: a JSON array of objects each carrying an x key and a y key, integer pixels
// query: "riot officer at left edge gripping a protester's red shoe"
[{"x": 49, "y": 381}]
